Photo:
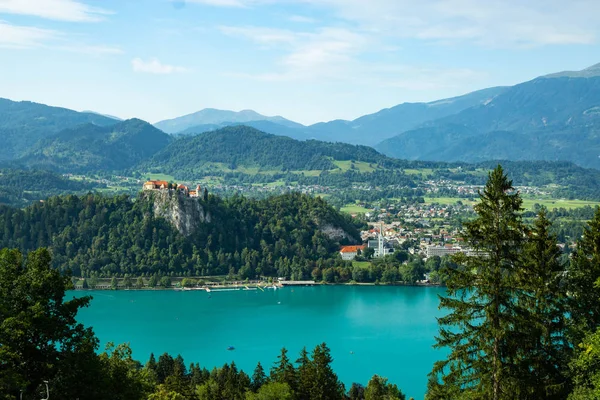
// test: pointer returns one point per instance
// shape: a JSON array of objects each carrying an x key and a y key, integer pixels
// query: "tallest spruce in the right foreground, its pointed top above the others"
[{"x": 480, "y": 299}]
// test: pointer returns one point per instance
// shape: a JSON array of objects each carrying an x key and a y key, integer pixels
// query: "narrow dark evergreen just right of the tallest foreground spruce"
[{"x": 544, "y": 346}]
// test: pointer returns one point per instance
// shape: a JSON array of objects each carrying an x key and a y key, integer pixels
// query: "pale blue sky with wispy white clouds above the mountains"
[{"x": 306, "y": 60}]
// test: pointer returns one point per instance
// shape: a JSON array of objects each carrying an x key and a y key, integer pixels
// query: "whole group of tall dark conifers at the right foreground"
[{"x": 521, "y": 322}]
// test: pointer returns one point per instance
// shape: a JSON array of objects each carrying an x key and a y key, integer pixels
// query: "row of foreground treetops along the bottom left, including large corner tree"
[{"x": 45, "y": 350}]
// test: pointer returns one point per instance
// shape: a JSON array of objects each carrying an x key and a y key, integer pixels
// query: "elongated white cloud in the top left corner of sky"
[{"x": 61, "y": 10}]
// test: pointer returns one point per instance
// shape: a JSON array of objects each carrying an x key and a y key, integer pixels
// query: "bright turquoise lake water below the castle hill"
[{"x": 370, "y": 330}]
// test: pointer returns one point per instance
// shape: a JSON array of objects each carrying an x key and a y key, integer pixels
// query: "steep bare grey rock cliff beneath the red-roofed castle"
[{"x": 184, "y": 213}]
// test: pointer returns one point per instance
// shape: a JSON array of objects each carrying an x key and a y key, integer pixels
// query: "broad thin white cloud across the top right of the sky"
[{"x": 497, "y": 23}]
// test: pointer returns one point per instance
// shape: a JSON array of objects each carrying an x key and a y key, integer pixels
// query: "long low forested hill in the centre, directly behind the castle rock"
[{"x": 238, "y": 146}]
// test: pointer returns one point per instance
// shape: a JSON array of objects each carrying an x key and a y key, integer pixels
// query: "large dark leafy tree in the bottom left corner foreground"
[{"x": 39, "y": 336}]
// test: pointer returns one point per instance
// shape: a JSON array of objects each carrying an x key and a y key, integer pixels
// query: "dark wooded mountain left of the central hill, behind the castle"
[{"x": 92, "y": 148}]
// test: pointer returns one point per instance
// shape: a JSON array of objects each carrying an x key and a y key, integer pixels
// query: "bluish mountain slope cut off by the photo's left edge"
[{"x": 22, "y": 123}]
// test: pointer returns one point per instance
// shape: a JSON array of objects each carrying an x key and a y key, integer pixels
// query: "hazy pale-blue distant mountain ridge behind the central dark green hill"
[{"x": 214, "y": 117}]
